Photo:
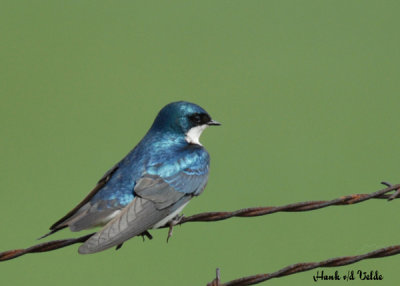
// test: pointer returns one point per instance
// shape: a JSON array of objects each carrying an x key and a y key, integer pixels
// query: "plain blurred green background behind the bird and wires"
[{"x": 308, "y": 93}]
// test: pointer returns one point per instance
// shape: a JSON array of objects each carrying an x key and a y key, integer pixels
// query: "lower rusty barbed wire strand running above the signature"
[{"x": 301, "y": 267}]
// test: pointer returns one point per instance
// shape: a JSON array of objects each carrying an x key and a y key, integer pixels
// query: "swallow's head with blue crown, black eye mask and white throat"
[{"x": 184, "y": 119}]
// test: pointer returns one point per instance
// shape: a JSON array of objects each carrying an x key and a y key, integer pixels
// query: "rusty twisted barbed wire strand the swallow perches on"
[{"x": 217, "y": 216}]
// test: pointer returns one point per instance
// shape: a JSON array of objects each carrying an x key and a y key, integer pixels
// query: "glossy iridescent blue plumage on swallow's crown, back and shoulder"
[{"x": 163, "y": 151}]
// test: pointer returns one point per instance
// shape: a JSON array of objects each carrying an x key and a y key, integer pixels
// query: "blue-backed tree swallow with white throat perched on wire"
[{"x": 151, "y": 185}]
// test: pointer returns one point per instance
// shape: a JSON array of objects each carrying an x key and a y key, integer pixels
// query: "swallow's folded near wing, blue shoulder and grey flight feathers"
[{"x": 157, "y": 197}]
